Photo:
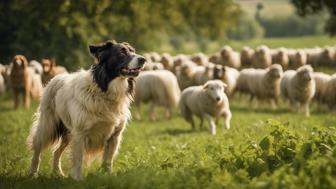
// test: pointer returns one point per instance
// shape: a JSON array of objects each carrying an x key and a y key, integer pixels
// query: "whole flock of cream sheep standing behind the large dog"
[{"x": 201, "y": 85}]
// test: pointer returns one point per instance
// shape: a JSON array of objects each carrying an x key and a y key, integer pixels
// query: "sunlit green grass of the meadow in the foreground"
[{"x": 167, "y": 154}]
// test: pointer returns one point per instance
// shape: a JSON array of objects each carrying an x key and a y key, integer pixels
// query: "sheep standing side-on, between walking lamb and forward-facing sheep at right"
[{"x": 264, "y": 84}]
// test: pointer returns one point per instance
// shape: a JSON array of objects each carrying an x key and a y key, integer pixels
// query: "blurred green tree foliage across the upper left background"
[{"x": 63, "y": 29}]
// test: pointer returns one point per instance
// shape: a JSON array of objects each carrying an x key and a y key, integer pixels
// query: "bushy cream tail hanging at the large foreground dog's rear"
[{"x": 47, "y": 126}]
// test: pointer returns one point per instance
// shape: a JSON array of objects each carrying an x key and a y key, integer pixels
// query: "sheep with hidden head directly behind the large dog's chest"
[{"x": 160, "y": 88}]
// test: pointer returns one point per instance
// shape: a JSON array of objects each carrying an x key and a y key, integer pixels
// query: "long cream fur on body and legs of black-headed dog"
[{"x": 95, "y": 120}]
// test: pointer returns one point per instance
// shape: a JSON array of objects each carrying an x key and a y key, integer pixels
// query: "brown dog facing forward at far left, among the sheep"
[{"x": 24, "y": 81}]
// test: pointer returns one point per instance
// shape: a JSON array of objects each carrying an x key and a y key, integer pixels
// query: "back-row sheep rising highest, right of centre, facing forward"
[{"x": 262, "y": 58}]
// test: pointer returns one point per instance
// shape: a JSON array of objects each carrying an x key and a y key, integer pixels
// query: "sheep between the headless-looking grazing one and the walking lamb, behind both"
[{"x": 185, "y": 73}]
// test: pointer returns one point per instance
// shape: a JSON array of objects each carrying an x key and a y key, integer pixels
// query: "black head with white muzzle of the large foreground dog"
[{"x": 114, "y": 60}]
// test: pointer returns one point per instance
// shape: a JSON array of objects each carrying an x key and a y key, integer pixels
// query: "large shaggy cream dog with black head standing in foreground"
[{"x": 88, "y": 109}]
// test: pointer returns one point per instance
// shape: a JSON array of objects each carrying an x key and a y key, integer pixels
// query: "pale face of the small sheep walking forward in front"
[{"x": 215, "y": 89}]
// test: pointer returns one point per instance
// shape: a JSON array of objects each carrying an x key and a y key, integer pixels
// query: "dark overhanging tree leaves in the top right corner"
[{"x": 306, "y": 7}]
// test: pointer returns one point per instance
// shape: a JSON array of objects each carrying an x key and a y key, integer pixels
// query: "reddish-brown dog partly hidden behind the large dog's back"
[{"x": 50, "y": 70}]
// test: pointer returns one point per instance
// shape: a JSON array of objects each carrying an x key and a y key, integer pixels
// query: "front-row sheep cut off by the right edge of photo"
[{"x": 329, "y": 97}]
